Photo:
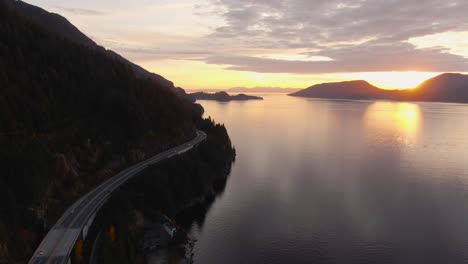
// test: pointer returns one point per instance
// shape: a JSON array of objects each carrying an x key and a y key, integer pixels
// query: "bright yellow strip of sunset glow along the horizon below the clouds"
[{"x": 198, "y": 75}]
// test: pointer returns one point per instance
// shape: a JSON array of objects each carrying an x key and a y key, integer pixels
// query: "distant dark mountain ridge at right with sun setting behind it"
[{"x": 447, "y": 87}]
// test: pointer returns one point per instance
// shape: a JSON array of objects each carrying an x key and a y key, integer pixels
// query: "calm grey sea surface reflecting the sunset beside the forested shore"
[{"x": 336, "y": 181}]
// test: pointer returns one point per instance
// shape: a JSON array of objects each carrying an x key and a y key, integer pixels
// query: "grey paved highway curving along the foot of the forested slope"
[{"x": 57, "y": 245}]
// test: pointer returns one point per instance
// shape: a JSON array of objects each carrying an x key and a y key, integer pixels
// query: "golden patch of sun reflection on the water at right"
[{"x": 401, "y": 121}]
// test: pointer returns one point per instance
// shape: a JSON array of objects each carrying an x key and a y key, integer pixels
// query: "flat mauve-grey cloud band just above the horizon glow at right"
[{"x": 367, "y": 57}]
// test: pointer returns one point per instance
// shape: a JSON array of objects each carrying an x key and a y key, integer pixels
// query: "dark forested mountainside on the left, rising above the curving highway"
[{"x": 73, "y": 114}]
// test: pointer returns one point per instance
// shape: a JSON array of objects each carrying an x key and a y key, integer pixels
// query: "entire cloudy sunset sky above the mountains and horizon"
[{"x": 217, "y": 44}]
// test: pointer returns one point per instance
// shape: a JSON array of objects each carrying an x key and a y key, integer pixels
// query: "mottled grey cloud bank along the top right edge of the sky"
[{"x": 343, "y": 20}]
